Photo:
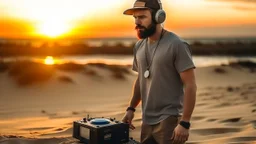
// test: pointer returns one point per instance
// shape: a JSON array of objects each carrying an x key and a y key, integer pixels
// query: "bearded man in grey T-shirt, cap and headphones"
[{"x": 166, "y": 84}]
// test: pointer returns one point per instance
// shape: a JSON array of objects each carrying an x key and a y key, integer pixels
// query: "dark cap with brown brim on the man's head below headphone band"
[{"x": 143, "y": 4}]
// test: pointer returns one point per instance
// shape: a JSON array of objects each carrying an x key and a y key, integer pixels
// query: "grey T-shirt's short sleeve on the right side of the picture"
[{"x": 183, "y": 57}]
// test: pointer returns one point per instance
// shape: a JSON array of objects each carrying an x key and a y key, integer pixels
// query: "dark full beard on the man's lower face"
[{"x": 147, "y": 32}]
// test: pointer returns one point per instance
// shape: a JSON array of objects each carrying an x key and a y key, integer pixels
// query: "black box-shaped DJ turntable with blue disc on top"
[{"x": 101, "y": 131}]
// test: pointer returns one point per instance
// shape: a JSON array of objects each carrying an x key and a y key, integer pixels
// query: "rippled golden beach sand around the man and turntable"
[{"x": 43, "y": 112}]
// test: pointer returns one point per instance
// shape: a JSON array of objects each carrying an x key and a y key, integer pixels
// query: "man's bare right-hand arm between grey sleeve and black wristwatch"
[{"x": 189, "y": 81}]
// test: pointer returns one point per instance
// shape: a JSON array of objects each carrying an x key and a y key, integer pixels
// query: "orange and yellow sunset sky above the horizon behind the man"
[{"x": 104, "y": 18}]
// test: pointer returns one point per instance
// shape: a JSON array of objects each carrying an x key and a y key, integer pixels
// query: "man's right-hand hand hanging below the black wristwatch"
[{"x": 180, "y": 134}]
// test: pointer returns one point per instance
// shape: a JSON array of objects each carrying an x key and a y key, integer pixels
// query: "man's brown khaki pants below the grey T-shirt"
[{"x": 160, "y": 133}]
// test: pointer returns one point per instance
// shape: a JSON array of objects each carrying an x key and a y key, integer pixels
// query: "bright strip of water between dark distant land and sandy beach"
[{"x": 200, "y": 61}]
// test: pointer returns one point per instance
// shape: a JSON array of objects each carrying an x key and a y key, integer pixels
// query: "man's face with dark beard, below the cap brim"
[{"x": 144, "y": 25}]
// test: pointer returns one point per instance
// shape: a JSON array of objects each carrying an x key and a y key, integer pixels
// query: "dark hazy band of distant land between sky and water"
[{"x": 25, "y": 47}]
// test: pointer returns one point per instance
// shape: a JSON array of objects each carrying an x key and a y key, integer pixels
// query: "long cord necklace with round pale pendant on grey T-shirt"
[{"x": 147, "y": 72}]
